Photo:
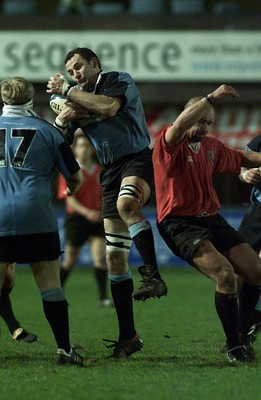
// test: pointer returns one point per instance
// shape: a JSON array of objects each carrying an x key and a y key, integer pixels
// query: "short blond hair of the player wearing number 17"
[{"x": 16, "y": 90}]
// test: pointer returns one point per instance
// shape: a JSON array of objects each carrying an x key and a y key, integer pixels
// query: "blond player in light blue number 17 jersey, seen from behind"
[{"x": 30, "y": 150}]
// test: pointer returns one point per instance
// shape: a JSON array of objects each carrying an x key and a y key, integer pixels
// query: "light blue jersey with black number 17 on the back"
[{"x": 30, "y": 149}]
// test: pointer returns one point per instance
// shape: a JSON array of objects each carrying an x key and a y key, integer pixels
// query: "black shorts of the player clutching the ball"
[{"x": 139, "y": 164}]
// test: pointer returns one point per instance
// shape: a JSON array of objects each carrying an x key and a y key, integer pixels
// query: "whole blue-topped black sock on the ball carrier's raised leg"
[{"x": 142, "y": 235}]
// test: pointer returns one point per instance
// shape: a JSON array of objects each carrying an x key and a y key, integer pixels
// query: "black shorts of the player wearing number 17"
[{"x": 26, "y": 249}]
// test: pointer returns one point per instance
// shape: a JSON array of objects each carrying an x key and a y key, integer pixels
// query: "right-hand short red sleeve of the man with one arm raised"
[{"x": 227, "y": 160}]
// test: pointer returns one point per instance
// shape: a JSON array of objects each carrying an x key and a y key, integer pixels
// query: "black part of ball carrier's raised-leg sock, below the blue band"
[{"x": 144, "y": 241}]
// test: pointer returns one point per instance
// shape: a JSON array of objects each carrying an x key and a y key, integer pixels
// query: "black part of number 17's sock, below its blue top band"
[{"x": 56, "y": 313}]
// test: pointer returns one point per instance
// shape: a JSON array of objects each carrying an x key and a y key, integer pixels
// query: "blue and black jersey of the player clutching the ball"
[{"x": 124, "y": 134}]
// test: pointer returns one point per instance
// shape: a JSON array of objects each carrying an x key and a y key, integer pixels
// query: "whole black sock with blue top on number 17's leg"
[{"x": 56, "y": 311}]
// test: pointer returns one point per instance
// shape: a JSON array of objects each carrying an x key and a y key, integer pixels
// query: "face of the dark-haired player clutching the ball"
[{"x": 82, "y": 72}]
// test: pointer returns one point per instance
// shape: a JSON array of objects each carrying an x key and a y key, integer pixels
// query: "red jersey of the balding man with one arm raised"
[{"x": 183, "y": 177}]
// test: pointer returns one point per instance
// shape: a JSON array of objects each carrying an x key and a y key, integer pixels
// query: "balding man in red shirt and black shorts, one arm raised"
[{"x": 185, "y": 160}]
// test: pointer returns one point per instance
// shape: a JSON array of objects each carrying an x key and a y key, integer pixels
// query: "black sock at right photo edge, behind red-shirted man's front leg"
[{"x": 248, "y": 299}]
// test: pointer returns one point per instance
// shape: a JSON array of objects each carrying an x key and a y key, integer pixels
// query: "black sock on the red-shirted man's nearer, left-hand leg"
[{"x": 227, "y": 309}]
